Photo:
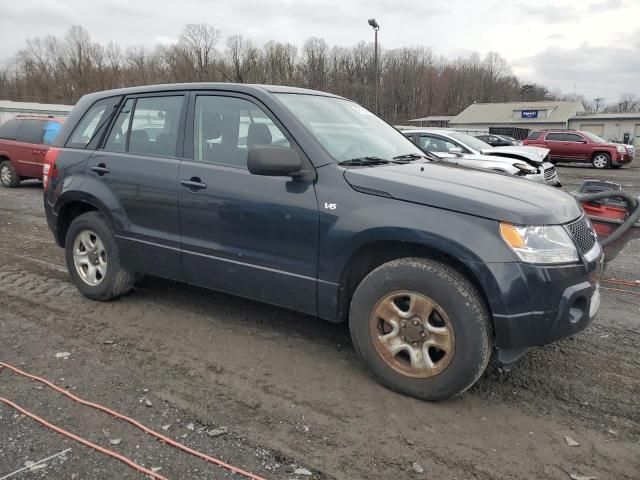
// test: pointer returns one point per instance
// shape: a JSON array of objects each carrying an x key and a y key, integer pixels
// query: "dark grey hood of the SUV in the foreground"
[{"x": 473, "y": 192}]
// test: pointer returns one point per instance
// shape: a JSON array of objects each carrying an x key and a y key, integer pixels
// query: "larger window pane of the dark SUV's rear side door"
[{"x": 154, "y": 127}]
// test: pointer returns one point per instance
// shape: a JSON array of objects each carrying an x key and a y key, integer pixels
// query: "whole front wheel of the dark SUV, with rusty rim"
[{"x": 422, "y": 328}]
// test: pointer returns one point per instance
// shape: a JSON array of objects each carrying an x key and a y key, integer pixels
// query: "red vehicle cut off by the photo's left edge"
[{"x": 24, "y": 141}]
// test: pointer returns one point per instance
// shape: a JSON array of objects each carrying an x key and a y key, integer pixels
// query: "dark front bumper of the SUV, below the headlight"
[{"x": 543, "y": 304}]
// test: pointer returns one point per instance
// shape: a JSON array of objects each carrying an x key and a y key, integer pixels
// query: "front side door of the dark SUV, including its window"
[{"x": 249, "y": 235}]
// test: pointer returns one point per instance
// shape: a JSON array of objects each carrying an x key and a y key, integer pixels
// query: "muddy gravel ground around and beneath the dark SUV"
[{"x": 288, "y": 388}]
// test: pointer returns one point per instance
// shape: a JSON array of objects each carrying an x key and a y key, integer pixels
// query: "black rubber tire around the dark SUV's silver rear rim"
[{"x": 116, "y": 280}]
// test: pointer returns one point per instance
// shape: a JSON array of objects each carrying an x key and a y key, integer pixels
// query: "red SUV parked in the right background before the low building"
[{"x": 579, "y": 146}]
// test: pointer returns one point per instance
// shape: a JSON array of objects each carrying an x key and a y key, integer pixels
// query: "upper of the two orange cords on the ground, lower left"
[{"x": 135, "y": 423}]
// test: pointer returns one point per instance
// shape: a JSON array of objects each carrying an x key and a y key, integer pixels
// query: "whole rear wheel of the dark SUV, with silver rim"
[{"x": 93, "y": 259}]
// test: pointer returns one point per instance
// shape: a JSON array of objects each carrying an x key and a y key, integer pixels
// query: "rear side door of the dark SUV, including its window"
[{"x": 141, "y": 172}]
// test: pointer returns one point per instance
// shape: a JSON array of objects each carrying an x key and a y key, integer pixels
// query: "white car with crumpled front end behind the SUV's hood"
[{"x": 531, "y": 163}]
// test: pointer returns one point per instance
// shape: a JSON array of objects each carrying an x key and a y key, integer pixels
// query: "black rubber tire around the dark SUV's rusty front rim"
[{"x": 465, "y": 311}]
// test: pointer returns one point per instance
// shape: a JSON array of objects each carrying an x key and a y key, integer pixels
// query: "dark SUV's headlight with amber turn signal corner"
[{"x": 540, "y": 243}]
